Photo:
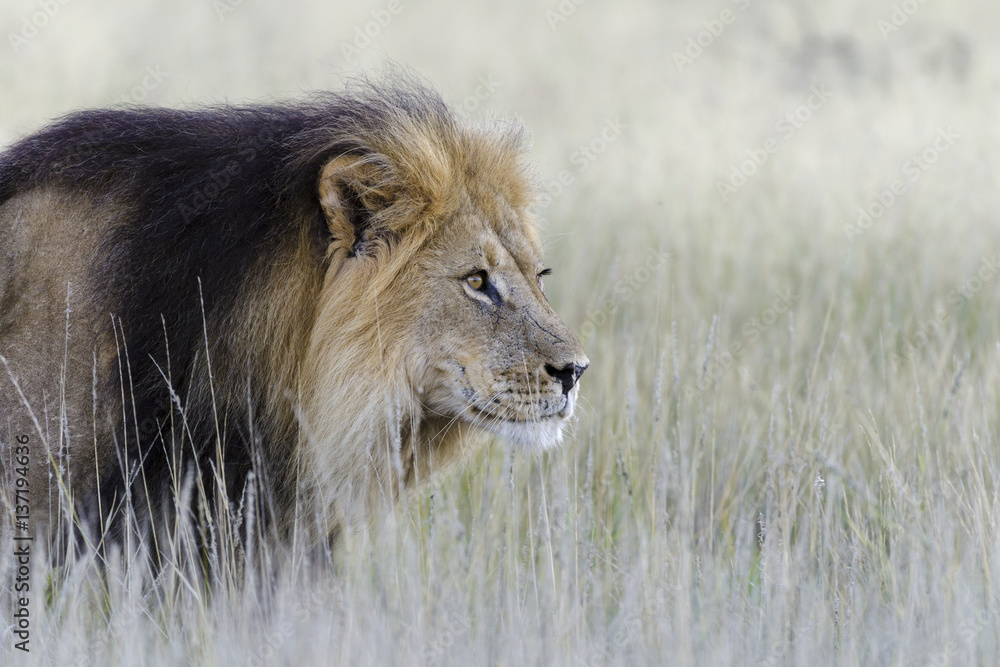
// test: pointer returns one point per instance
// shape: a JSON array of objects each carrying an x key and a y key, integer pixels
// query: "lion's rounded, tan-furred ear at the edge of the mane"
[{"x": 353, "y": 189}]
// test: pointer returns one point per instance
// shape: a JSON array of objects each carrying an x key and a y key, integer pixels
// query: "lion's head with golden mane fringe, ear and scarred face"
[{"x": 433, "y": 311}]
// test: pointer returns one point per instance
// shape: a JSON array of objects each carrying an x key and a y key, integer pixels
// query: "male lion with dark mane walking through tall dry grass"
[{"x": 335, "y": 296}]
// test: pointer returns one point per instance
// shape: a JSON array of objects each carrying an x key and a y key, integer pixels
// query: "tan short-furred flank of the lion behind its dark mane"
[{"x": 45, "y": 235}]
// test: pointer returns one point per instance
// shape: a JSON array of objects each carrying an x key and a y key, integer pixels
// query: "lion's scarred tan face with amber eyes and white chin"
[{"x": 499, "y": 357}]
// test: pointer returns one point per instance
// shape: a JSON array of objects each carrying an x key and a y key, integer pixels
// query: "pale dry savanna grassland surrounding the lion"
[{"x": 776, "y": 227}]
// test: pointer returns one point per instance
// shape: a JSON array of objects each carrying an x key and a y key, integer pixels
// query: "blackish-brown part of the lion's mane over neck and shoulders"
[{"x": 202, "y": 196}]
